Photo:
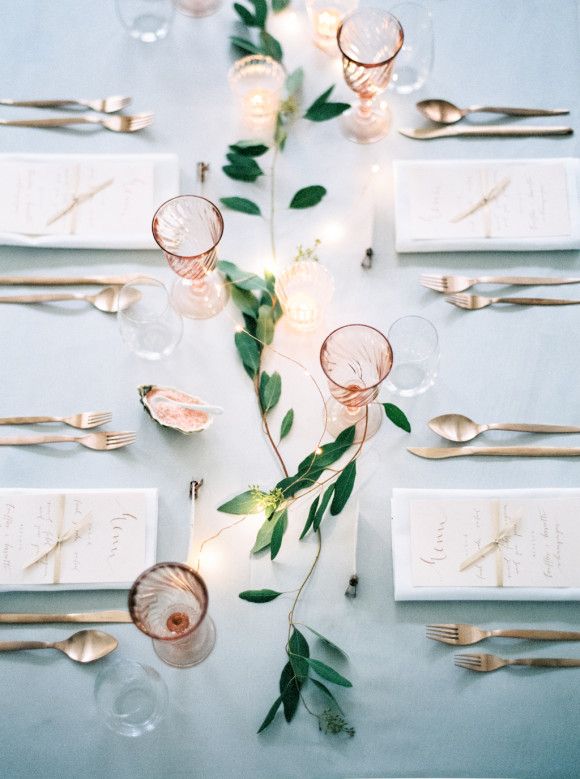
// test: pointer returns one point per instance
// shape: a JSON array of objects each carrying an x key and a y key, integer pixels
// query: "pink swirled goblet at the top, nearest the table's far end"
[{"x": 369, "y": 40}]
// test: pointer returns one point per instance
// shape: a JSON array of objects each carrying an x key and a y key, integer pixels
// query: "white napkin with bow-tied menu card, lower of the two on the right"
[{"x": 482, "y": 544}]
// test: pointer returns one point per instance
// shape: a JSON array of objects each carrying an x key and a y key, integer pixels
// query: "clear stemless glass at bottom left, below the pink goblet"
[{"x": 131, "y": 698}]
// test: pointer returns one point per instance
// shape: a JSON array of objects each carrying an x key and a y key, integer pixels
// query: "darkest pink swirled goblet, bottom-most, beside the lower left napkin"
[{"x": 168, "y": 602}]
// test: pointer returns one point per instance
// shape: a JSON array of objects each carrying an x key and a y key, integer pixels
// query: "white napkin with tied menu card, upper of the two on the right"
[{"x": 487, "y": 204}]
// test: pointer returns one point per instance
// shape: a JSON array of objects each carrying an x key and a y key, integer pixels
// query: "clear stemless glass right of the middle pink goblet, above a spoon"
[{"x": 415, "y": 356}]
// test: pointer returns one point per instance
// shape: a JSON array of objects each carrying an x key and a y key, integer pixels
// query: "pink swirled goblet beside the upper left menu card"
[{"x": 188, "y": 229}]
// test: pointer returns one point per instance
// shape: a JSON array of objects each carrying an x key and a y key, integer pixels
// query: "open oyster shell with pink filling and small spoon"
[{"x": 172, "y": 415}]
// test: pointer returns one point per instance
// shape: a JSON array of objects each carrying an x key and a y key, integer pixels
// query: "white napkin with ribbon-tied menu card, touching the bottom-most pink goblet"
[{"x": 75, "y": 539}]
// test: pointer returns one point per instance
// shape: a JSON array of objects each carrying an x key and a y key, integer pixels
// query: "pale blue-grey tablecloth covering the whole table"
[{"x": 415, "y": 714}]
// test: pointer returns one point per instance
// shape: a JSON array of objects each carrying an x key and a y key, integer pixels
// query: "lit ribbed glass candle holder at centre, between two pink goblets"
[{"x": 304, "y": 289}]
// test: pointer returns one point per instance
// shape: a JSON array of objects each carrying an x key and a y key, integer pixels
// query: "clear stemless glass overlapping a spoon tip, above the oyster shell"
[{"x": 148, "y": 323}]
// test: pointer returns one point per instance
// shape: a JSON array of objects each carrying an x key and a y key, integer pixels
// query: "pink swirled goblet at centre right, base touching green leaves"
[{"x": 355, "y": 360}]
